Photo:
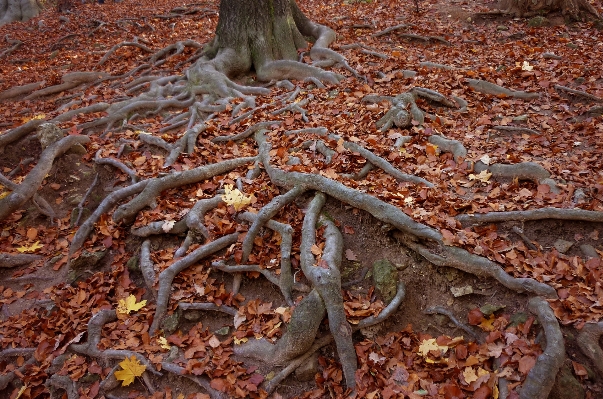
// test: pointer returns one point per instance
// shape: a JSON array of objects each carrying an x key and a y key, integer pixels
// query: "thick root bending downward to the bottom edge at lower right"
[{"x": 540, "y": 379}]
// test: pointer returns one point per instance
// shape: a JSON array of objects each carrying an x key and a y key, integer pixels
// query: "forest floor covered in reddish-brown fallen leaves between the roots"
[{"x": 47, "y": 305}]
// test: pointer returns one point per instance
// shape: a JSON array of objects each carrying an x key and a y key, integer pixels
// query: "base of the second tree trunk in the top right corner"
[{"x": 573, "y": 9}]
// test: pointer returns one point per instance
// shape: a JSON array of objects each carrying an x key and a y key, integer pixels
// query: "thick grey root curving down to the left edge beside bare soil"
[{"x": 33, "y": 180}]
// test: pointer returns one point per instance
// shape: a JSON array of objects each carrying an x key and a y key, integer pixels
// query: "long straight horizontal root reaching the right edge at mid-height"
[{"x": 534, "y": 214}]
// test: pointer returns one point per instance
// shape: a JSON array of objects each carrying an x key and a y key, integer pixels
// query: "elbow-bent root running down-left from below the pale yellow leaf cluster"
[{"x": 167, "y": 276}]
